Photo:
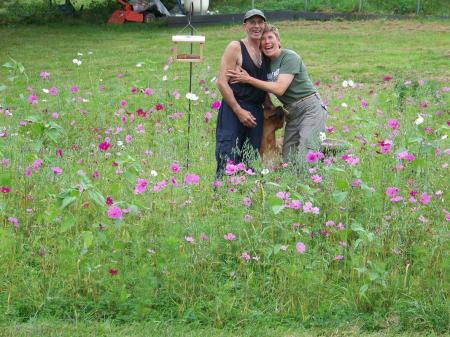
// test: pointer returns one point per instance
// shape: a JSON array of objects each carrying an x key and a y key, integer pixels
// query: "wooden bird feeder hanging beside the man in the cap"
[{"x": 189, "y": 48}]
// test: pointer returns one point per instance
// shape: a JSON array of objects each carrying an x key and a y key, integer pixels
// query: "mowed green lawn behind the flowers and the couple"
[{"x": 362, "y": 50}]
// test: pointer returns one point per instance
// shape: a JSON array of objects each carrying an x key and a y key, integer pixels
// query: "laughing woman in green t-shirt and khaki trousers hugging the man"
[{"x": 289, "y": 81}]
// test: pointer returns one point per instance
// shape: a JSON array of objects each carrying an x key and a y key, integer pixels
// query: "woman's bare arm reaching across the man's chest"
[{"x": 278, "y": 88}]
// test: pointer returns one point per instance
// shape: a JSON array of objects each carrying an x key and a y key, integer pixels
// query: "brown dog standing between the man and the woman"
[{"x": 270, "y": 149}]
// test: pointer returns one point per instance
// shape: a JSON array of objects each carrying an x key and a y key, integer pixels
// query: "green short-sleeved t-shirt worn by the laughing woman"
[{"x": 289, "y": 62}]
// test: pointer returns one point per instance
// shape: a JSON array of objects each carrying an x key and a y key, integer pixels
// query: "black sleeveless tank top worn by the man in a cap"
[{"x": 246, "y": 92}]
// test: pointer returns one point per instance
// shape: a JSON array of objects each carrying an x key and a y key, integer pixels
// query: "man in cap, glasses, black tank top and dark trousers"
[{"x": 240, "y": 120}]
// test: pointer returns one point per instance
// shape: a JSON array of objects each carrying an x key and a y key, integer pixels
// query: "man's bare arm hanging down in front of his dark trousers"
[{"x": 230, "y": 60}]
